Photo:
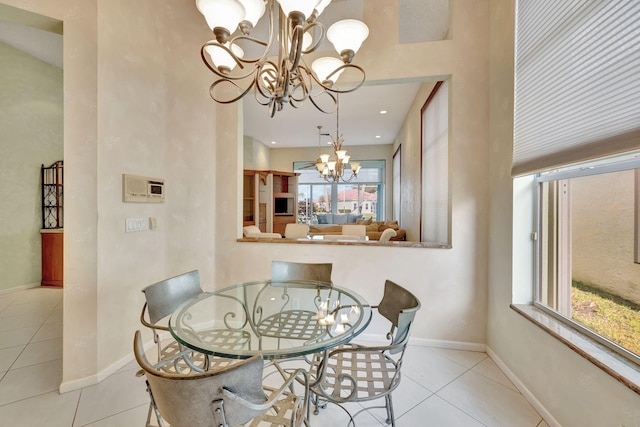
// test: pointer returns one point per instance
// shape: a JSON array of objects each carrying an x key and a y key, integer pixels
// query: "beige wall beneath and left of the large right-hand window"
[{"x": 573, "y": 390}]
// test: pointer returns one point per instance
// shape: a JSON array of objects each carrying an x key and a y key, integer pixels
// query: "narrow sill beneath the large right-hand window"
[{"x": 620, "y": 368}]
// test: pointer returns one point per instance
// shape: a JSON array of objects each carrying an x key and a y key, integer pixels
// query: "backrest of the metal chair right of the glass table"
[{"x": 399, "y": 306}]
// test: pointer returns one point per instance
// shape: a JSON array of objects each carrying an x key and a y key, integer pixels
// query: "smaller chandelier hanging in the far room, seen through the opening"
[{"x": 333, "y": 169}]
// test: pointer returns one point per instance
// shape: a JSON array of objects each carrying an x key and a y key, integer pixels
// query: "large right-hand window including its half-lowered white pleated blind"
[{"x": 576, "y": 104}]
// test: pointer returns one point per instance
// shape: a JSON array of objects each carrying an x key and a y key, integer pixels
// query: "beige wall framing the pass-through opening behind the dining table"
[{"x": 451, "y": 283}]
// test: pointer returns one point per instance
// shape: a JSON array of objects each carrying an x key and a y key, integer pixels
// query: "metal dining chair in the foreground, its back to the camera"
[{"x": 224, "y": 397}]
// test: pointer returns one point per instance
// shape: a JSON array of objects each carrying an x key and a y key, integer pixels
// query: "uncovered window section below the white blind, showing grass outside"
[{"x": 586, "y": 250}]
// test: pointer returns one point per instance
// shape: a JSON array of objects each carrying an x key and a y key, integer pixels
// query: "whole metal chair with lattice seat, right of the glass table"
[{"x": 358, "y": 373}]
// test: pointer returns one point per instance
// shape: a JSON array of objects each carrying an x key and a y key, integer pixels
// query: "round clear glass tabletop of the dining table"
[{"x": 277, "y": 319}]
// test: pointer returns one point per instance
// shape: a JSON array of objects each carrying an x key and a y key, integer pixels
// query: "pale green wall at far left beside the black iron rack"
[{"x": 31, "y": 122}]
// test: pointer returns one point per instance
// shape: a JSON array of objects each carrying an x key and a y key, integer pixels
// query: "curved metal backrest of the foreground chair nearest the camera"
[{"x": 187, "y": 400}]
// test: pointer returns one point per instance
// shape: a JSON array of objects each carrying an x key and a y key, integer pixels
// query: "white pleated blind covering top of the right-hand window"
[{"x": 577, "y": 81}]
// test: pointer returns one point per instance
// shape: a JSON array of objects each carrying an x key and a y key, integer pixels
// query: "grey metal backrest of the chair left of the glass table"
[{"x": 164, "y": 297}]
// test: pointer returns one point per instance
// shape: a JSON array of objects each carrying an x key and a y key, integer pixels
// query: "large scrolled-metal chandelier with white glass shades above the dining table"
[{"x": 285, "y": 79}]
